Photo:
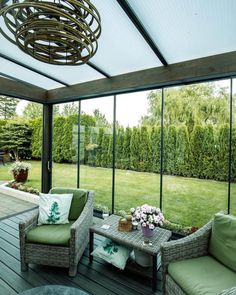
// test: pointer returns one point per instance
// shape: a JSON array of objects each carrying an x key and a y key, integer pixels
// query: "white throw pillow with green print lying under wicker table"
[{"x": 112, "y": 253}]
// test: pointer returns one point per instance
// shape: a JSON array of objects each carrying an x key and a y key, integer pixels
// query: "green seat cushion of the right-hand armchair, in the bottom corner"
[{"x": 203, "y": 275}]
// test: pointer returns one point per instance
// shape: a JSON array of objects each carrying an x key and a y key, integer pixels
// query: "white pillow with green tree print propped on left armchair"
[{"x": 54, "y": 208}]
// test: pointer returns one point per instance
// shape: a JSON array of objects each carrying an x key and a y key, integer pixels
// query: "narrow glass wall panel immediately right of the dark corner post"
[{"x": 65, "y": 145}]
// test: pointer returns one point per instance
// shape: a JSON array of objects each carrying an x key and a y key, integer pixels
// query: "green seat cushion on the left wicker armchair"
[{"x": 53, "y": 234}]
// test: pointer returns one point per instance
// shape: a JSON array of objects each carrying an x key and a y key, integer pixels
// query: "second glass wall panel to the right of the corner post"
[{"x": 96, "y": 146}]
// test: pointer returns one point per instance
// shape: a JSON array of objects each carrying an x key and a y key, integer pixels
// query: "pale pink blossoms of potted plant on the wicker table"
[{"x": 147, "y": 216}]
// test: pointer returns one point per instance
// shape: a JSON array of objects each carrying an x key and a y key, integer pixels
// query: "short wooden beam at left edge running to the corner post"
[{"x": 21, "y": 90}]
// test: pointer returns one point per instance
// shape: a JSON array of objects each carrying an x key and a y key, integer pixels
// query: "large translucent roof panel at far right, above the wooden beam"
[{"x": 189, "y": 29}]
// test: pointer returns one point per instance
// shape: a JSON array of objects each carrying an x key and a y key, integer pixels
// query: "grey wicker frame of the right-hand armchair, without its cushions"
[{"x": 193, "y": 246}]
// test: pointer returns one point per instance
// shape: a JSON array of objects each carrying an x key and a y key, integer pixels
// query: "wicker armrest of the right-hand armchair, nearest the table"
[{"x": 192, "y": 246}]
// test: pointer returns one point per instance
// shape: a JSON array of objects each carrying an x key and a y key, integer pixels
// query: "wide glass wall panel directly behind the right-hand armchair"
[{"x": 196, "y": 152}]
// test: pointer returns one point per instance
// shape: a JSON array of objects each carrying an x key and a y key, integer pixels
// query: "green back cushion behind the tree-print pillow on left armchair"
[{"x": 78, "y": 201}]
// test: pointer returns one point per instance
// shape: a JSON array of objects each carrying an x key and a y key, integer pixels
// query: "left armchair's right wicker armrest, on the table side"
[{"x": 79, "y": 230}]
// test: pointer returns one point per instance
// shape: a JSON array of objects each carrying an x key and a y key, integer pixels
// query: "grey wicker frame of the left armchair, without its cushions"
[{"x": 54, "y": 255}]
